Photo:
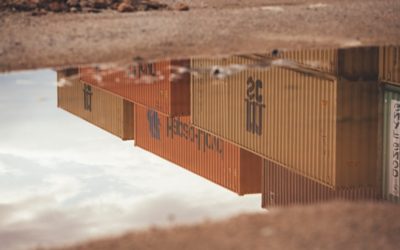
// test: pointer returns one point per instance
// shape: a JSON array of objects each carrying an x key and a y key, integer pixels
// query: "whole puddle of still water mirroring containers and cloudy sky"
[{"x": 67, "y": 180}]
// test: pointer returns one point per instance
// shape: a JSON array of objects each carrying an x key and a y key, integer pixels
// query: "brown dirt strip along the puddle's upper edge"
[{"x": 209, "y": 28}]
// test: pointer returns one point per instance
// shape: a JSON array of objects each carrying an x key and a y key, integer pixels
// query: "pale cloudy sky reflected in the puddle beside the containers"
[{"x": 64, "y": 180}]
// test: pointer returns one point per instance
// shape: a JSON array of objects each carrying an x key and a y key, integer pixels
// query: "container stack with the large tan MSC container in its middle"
[{"x": 318, "y": 130}]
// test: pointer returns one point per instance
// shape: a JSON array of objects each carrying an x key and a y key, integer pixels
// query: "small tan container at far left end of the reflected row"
[{"x": 98, "y": 107}]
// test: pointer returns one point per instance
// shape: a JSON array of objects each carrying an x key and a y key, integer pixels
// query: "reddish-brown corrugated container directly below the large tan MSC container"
[{"x": 282, "y": 187}]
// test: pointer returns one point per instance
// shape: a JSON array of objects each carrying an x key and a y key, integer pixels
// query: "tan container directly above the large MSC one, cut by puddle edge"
[{"x": 349, "y": 63}]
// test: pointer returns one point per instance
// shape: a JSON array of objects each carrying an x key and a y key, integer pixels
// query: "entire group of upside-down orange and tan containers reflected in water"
[{"x": 300, "y": 127}]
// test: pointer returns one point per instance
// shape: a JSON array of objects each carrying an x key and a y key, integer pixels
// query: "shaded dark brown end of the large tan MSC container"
[{"x": 357, "y": 132}]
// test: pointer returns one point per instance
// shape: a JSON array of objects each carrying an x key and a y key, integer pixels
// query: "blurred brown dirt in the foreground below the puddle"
[{"x": 335, "y": 225}]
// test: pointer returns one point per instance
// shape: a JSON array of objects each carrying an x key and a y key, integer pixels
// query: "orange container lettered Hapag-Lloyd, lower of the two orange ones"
[{"x": 197, "y": 151}]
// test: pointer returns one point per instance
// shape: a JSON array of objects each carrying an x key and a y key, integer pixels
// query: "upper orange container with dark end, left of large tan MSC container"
[{"x": 155, "y": 85}]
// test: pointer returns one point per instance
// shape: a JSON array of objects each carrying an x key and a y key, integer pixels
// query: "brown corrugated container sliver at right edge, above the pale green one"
[{"x": 389, "y": 64}]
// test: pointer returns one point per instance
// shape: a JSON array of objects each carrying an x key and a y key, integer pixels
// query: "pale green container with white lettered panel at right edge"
[{"x": 391, "y": 144}]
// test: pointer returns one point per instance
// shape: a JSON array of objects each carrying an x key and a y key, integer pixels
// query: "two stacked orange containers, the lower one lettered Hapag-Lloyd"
[{"x": 161, "y": 97}]
